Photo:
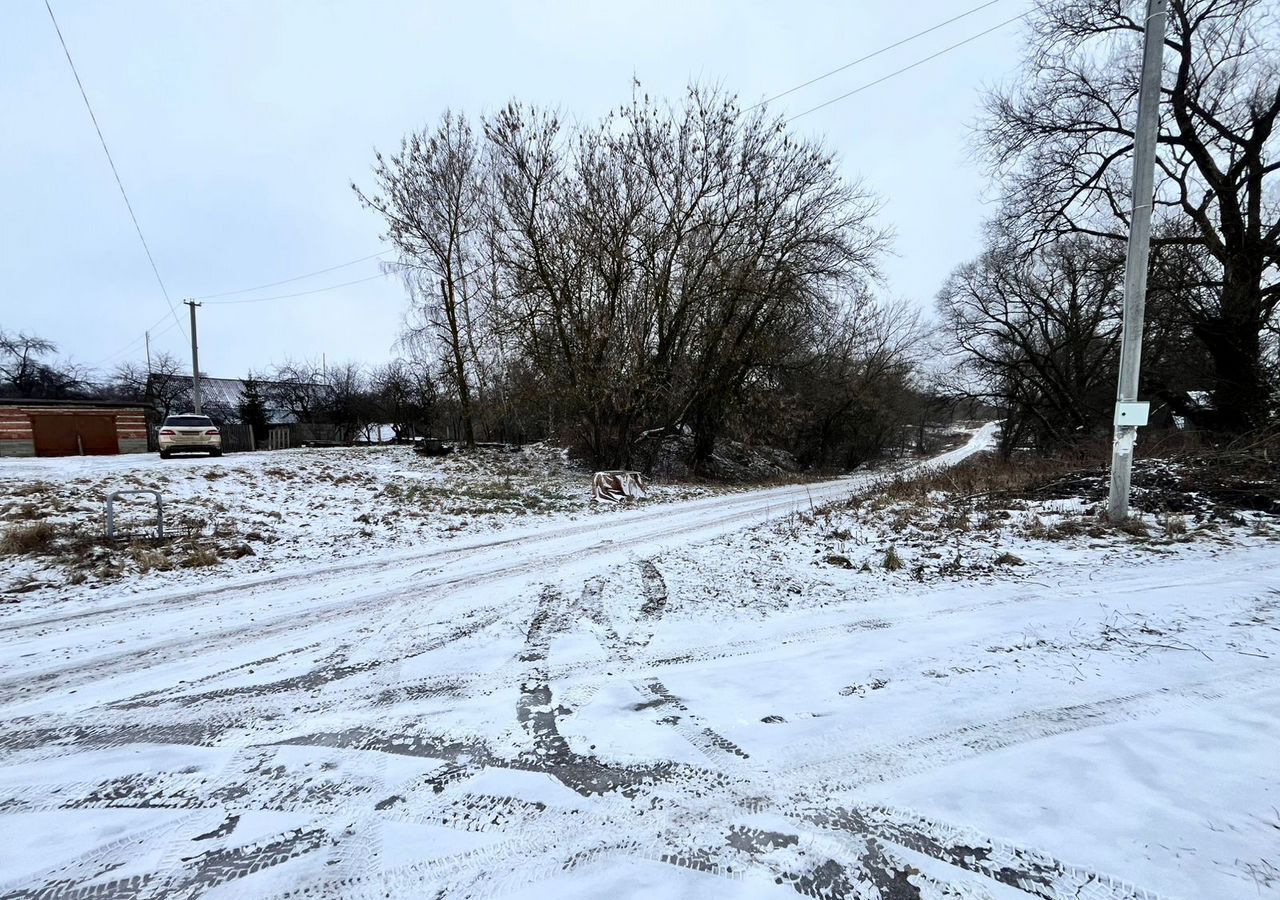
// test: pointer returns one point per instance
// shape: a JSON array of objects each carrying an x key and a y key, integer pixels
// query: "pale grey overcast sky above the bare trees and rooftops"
[{"x": 239, "y": 125}]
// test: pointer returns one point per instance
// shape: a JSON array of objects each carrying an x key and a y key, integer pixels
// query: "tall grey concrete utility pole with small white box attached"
[{"x": 1130, "y": 413}]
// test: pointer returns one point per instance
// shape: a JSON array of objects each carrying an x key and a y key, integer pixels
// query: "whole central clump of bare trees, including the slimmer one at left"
[{"x": 616, "y": 284}]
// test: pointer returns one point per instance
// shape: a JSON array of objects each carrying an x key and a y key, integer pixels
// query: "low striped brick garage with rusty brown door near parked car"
[{"x": 71, "y": 428}]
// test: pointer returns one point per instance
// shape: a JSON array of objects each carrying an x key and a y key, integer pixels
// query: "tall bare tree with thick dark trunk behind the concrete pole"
[{"x": 1060, "y": 140}]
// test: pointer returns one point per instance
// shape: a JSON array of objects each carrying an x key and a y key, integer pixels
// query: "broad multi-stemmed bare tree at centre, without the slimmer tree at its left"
[{"x": 661, "y": 261}]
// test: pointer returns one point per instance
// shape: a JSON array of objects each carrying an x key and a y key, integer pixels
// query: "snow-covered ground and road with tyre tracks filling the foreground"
[{"x": 694, "y": 700}]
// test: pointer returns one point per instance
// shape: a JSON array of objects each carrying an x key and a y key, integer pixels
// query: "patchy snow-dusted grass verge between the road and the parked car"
[{"x": 254, "y": 513}]
